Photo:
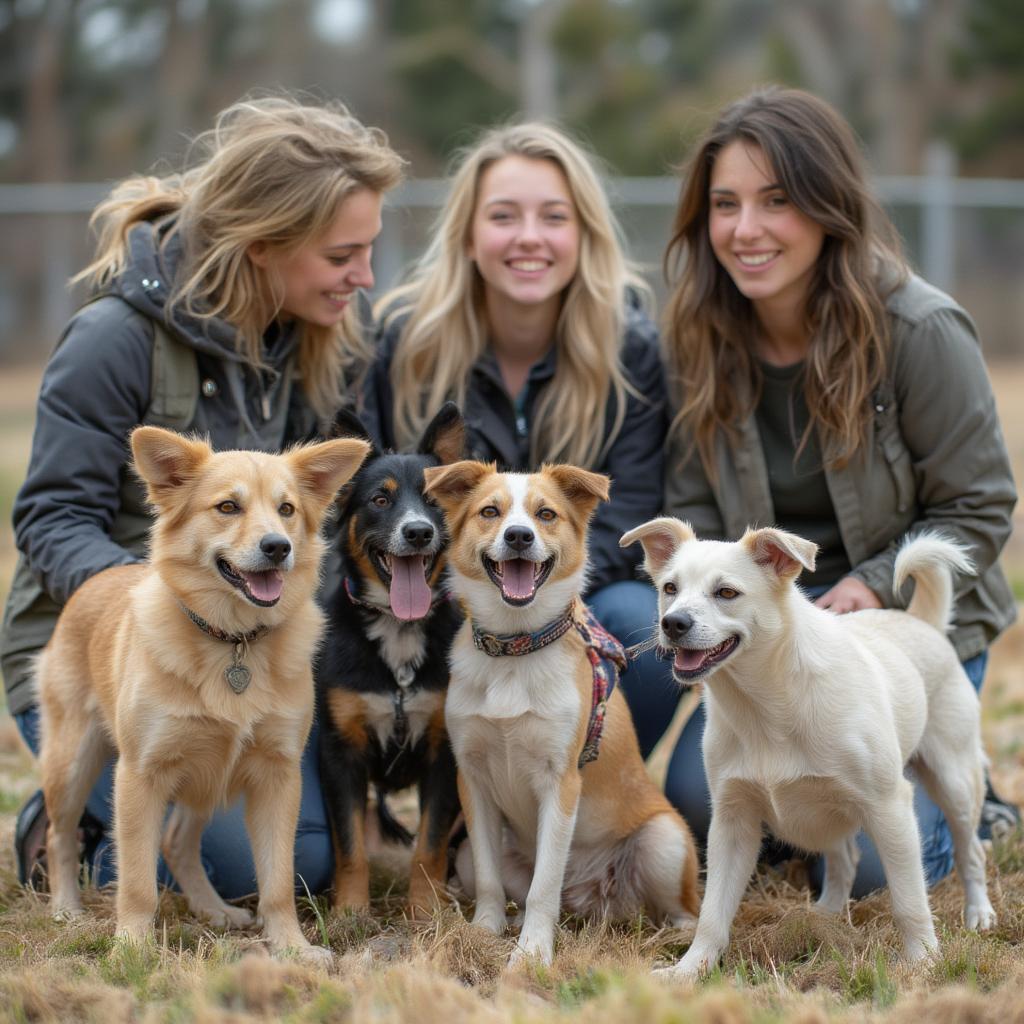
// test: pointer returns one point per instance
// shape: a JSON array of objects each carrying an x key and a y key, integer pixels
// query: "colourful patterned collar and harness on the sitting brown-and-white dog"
[{"x": 605, "y": 653}]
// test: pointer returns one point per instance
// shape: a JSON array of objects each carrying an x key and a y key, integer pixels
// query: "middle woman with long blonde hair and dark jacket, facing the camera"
[{"x": 525, "y": 312}]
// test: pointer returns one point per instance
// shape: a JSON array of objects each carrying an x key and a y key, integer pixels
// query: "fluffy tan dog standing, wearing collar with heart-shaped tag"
[{"x": 195, "y": 669}]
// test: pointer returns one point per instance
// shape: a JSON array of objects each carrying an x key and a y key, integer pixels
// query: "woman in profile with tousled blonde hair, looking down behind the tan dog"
[{"x": 224, "y": 303}]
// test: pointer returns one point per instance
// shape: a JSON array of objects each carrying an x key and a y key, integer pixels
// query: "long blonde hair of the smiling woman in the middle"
[{"x": 446, "y": 331}]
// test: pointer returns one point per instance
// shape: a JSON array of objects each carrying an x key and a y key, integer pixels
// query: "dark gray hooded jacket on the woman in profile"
[{"x": 80, "y": 509}]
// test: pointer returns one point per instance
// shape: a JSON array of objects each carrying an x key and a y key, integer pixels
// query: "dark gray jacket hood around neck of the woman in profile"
[{"x": 155, "y": 257}]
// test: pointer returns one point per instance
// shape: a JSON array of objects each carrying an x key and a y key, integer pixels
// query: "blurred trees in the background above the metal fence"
[{"x": 92, "y": 88}]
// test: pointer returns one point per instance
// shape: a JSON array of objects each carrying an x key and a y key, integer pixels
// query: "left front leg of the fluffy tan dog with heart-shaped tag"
[{"x": 140, "y": 805}]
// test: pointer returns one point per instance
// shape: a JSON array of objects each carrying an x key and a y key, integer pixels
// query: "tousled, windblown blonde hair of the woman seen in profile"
[{"x": 272, "y": 170}]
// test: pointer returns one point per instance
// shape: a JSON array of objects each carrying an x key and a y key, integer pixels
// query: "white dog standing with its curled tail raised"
[{"x": 812, "y": 718}]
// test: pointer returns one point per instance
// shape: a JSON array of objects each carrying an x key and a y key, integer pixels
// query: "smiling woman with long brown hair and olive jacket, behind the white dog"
[{"x": 820, "y": 386}]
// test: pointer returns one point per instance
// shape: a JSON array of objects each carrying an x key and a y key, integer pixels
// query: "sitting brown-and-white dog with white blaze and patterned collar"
[{"x": 600, "y": 839}]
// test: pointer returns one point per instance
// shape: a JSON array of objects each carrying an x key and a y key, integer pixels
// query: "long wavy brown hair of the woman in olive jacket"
[{"x": 714, "y": 375}]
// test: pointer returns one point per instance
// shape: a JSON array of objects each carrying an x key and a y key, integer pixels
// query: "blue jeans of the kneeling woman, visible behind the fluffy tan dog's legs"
[{"x": 226, "y": 844}]
